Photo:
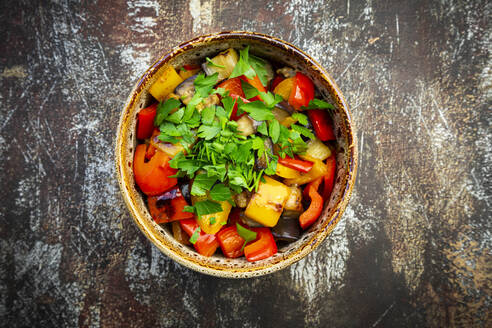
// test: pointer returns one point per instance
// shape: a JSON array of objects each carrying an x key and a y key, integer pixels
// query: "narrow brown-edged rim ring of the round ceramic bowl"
[{"x": 309, "y": 245}]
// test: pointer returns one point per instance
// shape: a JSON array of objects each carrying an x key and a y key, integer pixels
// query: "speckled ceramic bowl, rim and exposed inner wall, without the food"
[{"x": 274, "y": 50}]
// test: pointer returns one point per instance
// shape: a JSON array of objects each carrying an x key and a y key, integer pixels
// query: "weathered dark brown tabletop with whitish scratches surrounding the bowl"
[{"x": 413, "y": 249}]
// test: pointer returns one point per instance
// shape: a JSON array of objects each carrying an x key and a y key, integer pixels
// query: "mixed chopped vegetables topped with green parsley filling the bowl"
[{"x": 235, "y": 154}]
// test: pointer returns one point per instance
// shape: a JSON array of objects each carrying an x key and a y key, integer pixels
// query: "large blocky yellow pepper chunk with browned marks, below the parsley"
[{"x": 267, "y": 204}]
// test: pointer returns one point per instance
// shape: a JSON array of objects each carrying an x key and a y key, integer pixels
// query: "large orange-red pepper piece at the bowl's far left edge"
[{"x": 153, "y": 176}]
